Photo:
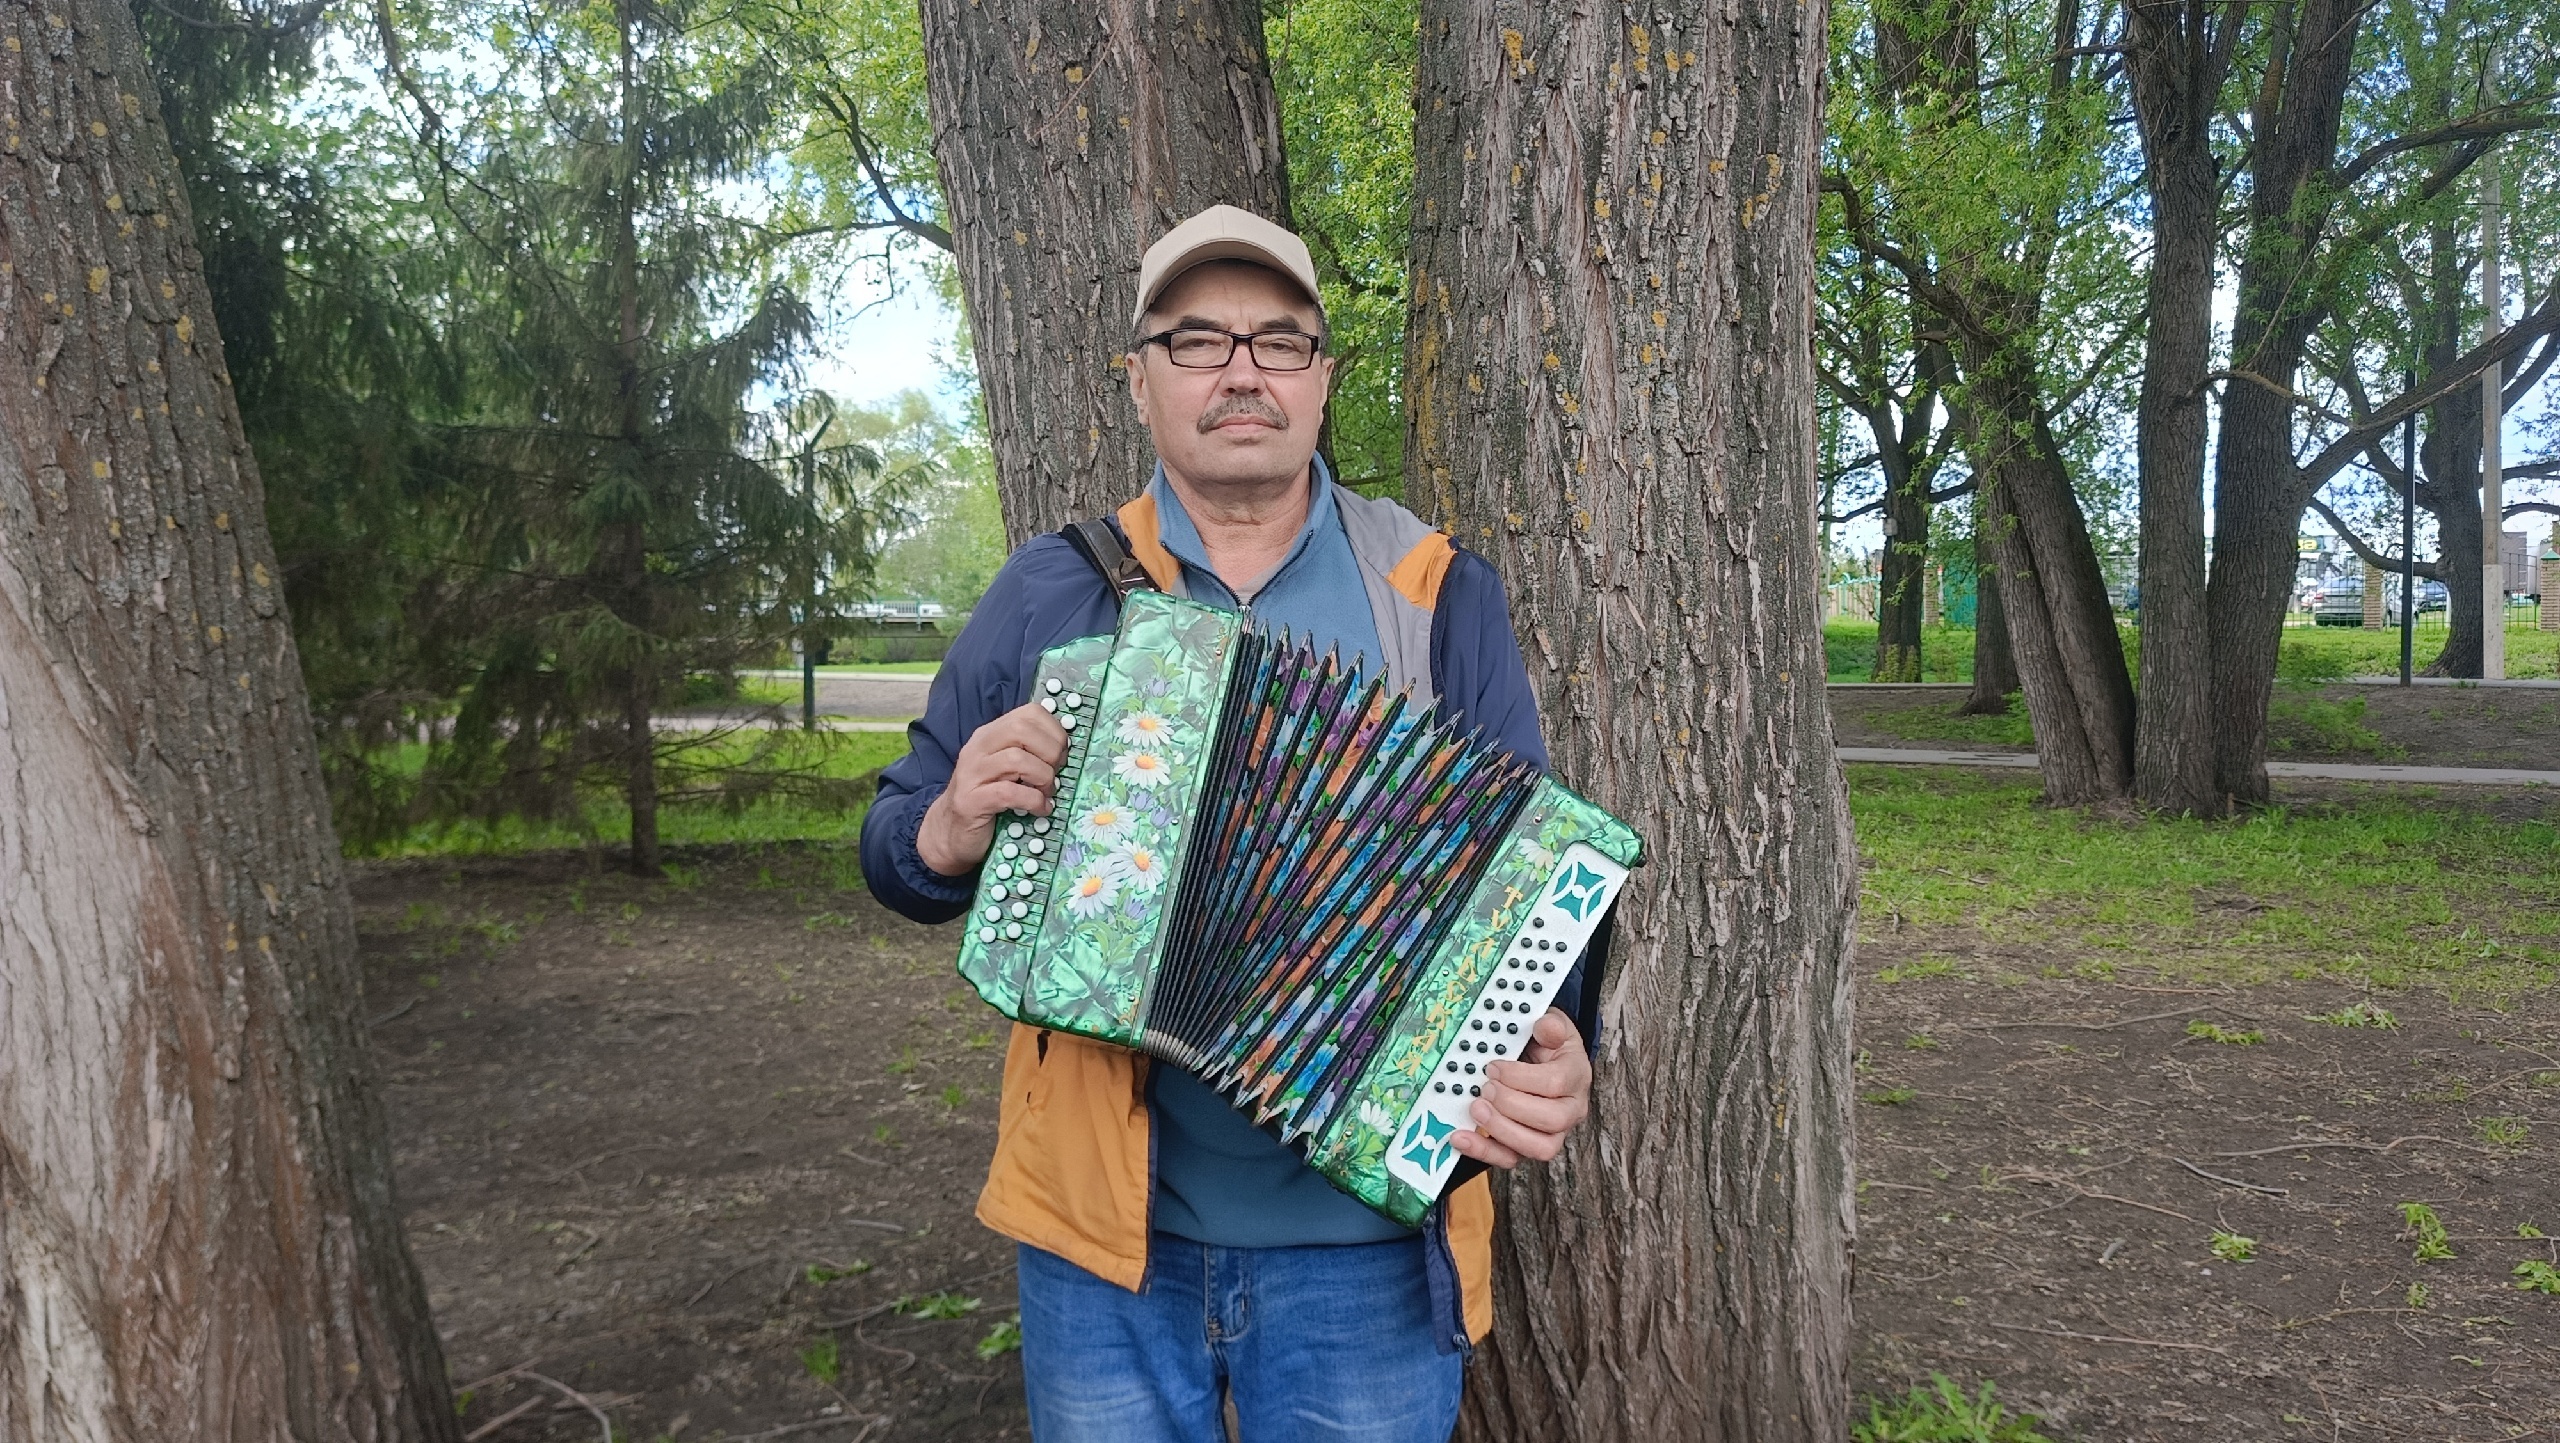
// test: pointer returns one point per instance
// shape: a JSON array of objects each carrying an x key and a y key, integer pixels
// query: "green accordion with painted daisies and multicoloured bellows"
[{"x": 1292, "y": 881}]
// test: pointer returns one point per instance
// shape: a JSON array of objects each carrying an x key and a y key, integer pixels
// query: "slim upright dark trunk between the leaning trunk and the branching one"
[{"x": 2177, "y": 63}]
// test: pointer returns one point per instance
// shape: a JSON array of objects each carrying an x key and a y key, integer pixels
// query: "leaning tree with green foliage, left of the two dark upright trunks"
[{"x": 2029, "y": 283}]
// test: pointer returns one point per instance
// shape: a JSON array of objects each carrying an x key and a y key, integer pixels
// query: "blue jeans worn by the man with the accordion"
[{"x": 1322, "y": 1344}]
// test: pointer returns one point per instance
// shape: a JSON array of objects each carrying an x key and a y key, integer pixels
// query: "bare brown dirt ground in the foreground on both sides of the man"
[{"x": 631, "y": 1122}]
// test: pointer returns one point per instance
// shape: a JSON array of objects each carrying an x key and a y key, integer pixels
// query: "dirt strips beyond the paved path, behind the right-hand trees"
[{"x": 2420, "y": 725}]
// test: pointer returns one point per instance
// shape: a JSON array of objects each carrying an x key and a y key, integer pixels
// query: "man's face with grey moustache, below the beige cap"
[{"x": 1230, "y": 426}]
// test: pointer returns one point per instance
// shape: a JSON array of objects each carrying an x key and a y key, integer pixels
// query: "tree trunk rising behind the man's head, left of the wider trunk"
[{"x": 1069, "y": 139}]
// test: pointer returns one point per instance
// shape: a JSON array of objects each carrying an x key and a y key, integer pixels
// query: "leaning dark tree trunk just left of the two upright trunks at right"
[{"x": 2054, "y": 595}]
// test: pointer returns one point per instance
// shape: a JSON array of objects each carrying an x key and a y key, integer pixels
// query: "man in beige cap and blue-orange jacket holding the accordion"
[{"x": 1174, "y": 1258}]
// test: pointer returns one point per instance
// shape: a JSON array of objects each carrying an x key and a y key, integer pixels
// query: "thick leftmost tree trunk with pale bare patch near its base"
[{"x": 198, "y": 1234}]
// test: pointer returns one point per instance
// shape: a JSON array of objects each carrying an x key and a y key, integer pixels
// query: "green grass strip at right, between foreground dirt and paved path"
[{"x": 2385, "y": 894}]
